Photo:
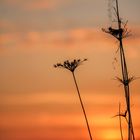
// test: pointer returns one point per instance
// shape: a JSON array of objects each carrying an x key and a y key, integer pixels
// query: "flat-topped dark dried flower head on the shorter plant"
[{"x": 70, "y": 65}]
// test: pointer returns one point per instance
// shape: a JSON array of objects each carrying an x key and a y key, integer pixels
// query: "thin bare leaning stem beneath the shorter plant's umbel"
[{"x": 82, "y": 105}]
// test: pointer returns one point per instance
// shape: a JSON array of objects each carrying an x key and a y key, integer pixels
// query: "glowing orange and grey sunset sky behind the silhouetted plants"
[{"x": 39, "y": 102}]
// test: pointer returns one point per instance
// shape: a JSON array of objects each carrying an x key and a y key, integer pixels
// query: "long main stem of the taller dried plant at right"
[{"x": 125, "y": 78}]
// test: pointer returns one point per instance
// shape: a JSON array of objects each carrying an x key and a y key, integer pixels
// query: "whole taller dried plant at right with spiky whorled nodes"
[{"x": 120, "y": 33}]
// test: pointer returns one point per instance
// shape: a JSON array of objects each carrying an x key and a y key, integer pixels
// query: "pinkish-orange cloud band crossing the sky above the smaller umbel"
[{"x": 83, "y": 37}]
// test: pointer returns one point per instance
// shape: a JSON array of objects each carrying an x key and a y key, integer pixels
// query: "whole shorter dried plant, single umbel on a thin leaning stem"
[{"x": 71, "y": 66}]
